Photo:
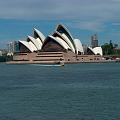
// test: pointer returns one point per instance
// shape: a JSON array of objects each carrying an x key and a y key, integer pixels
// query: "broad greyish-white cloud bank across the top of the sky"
[{"x": 90, "y": 14}]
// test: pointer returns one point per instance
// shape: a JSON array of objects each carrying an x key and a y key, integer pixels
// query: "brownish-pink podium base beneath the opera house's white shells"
[{"x": 53, "y": 58}]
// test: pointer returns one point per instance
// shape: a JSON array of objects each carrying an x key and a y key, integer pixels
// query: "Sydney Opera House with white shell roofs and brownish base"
[{"x": 56, "y": 47}]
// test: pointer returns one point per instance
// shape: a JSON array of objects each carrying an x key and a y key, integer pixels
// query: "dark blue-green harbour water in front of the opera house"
[{"x": 73, "y": 92}]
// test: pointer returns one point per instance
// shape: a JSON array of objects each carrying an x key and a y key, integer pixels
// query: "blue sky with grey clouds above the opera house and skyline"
[{"x": 82, "y": 17}]
